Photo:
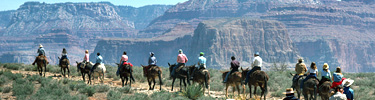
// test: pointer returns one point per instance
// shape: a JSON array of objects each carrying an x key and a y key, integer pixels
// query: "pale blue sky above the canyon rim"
[{"x": 14, "y": 4}]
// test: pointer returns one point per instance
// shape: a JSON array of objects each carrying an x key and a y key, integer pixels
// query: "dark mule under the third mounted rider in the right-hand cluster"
[{"x": 325, "y": 90}]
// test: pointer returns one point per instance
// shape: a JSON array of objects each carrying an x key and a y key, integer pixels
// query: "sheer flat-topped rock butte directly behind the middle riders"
[{"x": 219, "y": 39}]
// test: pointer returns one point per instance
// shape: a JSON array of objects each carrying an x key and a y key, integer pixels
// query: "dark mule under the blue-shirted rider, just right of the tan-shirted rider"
[{"x": 310, "y": 87}]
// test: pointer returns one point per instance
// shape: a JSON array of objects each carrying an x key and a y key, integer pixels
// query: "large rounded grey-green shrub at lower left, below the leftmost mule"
[{"x": 22, "y": 87}]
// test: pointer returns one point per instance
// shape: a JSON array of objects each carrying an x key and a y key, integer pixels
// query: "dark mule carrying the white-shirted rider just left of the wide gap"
[{"x": 257, "y": 78}]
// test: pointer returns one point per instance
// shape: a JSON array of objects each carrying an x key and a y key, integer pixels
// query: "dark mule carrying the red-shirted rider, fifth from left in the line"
[{"x": 125, "y": 74}]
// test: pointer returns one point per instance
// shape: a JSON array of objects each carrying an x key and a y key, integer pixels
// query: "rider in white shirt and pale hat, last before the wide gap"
[{"x": 257, "y": 64}]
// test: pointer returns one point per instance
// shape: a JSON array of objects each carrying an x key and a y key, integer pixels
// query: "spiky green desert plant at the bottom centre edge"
[{"x": 193, "y": 92}]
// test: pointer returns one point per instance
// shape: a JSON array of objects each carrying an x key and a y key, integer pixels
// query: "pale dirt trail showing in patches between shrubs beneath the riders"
[{"x": 137, "y": 87}]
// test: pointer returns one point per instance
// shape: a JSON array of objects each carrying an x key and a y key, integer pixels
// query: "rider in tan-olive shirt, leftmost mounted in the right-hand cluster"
[{"x": 300, "y": 70}]
